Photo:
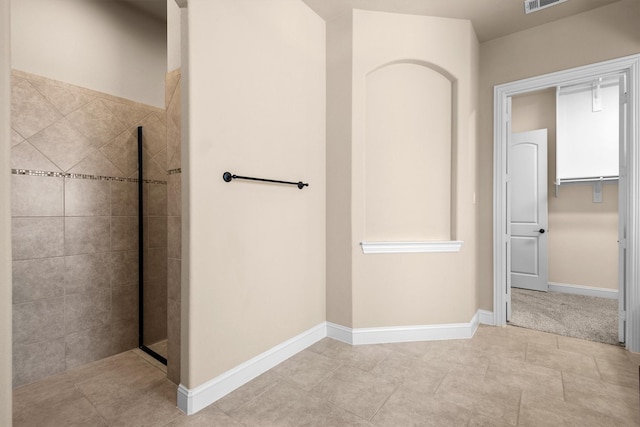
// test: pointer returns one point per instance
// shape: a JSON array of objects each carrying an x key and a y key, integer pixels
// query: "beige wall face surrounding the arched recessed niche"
[{"x": 416, "y": 289}]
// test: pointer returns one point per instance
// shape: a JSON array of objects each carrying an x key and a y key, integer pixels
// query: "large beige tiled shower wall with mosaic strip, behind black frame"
[{"x": 75, "y": 230}]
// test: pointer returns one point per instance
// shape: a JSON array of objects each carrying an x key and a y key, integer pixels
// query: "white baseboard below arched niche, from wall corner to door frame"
[{"x": 450, "y": 331}]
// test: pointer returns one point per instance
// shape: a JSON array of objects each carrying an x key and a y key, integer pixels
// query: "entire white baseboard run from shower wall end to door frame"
[{"x": 193, "y": 400}]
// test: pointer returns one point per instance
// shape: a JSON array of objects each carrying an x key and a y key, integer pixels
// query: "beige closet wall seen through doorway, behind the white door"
[{"x": 583, "y": 235}]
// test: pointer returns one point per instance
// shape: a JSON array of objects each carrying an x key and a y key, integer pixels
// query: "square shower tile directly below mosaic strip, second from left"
[{"x": 87, "y": 197}]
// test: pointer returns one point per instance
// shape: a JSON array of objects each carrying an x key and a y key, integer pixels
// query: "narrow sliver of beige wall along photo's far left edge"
[{"x": 5, "y": 215}]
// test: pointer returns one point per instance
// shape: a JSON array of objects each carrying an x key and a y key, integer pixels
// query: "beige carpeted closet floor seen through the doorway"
[{"x": 578, "y": 316}]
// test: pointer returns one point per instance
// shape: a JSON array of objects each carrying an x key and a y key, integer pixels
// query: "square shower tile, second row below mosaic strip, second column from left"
[{"x": 85, "y": 235}]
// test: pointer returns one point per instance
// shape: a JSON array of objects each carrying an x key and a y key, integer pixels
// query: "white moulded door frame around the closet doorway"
[{"x": 630, "y": 215}]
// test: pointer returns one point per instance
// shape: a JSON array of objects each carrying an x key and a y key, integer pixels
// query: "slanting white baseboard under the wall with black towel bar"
[{"x": 193, "y": 400}]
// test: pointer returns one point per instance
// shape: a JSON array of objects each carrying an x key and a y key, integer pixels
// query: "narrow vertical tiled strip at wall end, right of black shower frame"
[{"x": 174, "y": 212}]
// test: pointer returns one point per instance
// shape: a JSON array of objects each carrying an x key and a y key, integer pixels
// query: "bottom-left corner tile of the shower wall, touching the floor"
[{"x": 32, "y": 362}]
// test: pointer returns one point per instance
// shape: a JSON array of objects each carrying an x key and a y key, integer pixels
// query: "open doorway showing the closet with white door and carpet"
[{"x": 577, "y": 294}]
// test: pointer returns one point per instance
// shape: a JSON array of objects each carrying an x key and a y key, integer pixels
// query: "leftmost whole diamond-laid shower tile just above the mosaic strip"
[{"x": 62, "y": 144}]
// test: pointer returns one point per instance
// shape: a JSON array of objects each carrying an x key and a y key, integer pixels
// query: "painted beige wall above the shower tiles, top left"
[{"x": 106, "y": 46}]
